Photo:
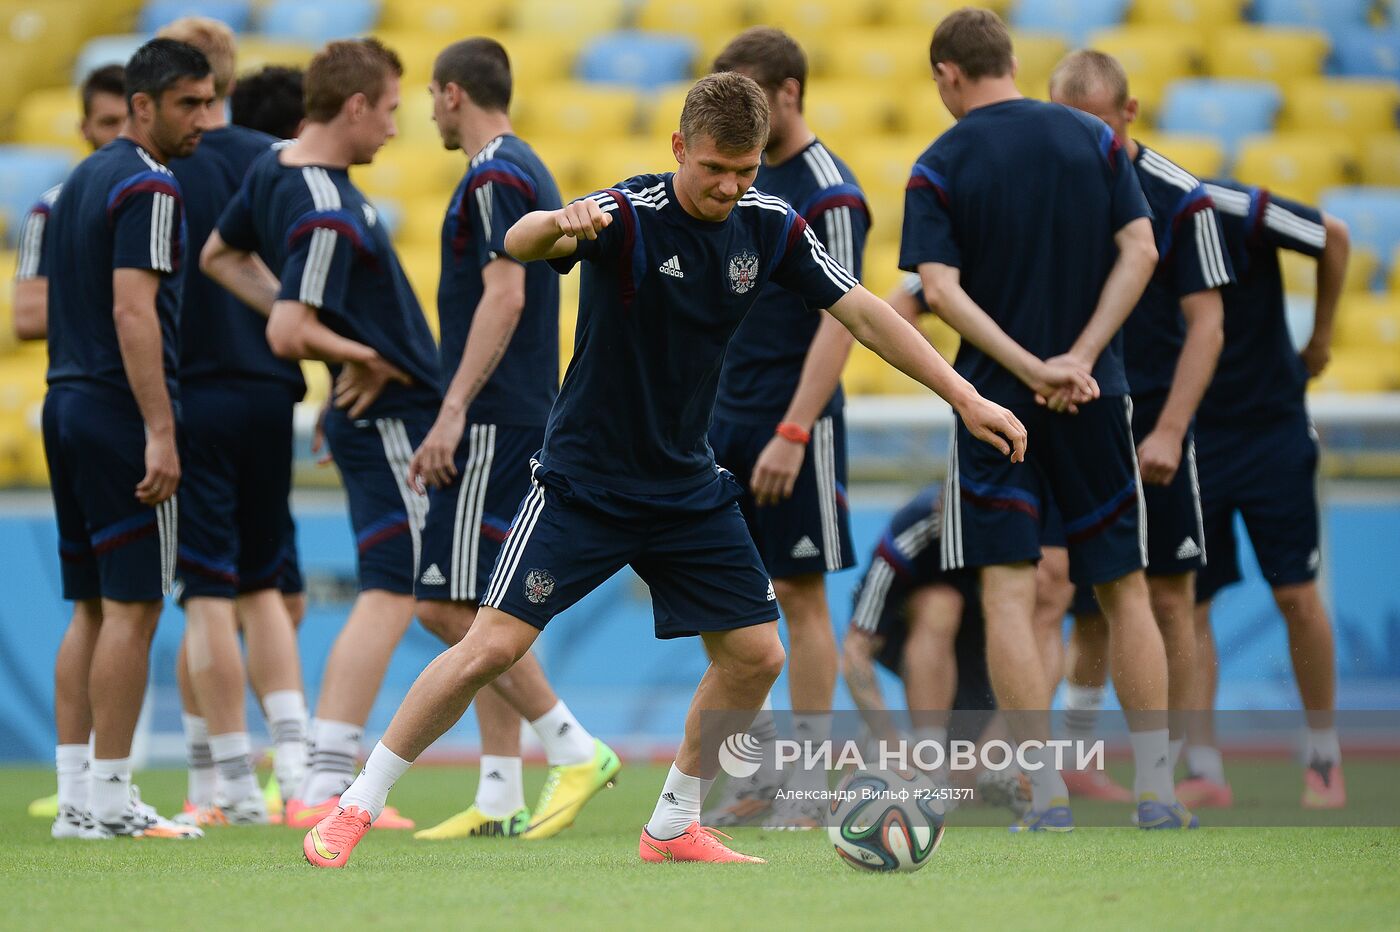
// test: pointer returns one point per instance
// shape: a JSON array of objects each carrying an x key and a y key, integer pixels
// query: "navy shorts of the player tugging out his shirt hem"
[{"x": 387, "y": 516}]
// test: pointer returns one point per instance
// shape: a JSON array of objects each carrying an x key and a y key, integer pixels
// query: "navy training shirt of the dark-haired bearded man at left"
[{"x": 120, "y": 209}]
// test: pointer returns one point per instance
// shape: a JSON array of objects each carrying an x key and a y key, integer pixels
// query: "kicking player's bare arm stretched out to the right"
[{"x": 895, "y": 341}]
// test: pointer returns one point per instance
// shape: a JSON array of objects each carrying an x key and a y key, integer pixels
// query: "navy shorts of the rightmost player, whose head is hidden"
[{"x": 1269, "y": 475}]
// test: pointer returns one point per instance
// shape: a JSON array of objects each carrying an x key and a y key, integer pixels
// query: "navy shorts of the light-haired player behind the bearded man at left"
[{"x": 236, "y": 481}]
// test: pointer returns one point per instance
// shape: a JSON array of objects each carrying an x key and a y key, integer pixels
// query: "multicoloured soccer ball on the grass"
[{"x": 884, "y": 821}]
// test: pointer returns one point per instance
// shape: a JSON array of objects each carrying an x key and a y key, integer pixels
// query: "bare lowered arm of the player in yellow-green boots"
[{"x": 493, "y": 325}]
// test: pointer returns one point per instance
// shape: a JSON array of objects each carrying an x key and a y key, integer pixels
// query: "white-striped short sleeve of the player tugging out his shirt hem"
[{"x": 321, "y": 251}]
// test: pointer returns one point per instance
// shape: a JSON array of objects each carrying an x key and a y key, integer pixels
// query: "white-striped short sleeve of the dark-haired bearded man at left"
[{"x": 148, "y": 223}]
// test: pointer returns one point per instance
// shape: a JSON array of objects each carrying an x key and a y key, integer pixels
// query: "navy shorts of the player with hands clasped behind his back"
[{"x": 1086, "y": 464}]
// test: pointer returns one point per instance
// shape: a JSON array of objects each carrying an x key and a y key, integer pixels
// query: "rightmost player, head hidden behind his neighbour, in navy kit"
[{"x": 1258, "y": 454}]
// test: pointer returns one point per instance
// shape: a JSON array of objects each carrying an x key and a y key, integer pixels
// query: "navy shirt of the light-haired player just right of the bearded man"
[{"x": 220, "y": 337}]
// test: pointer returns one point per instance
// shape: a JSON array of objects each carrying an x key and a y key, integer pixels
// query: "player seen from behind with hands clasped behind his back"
[{"x": 1032, "y": 239}]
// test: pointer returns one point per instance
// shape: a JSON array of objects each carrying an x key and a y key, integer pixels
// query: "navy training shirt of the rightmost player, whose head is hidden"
[{"x": 1261, "y": 374}]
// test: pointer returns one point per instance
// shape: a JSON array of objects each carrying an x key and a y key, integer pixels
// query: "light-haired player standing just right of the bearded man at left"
[{"x": 237, "y": 404}]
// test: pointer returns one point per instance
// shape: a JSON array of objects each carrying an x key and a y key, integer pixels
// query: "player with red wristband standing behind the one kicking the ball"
[{"x": 780, "y": 395}]
